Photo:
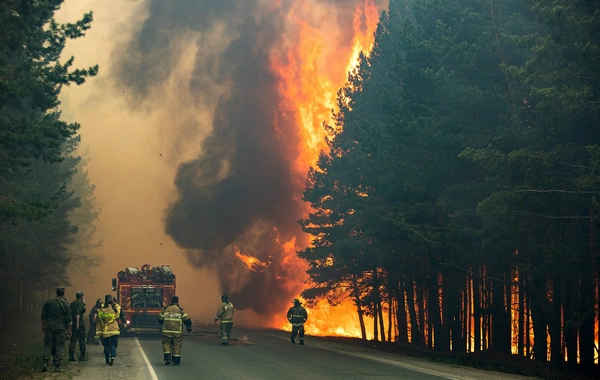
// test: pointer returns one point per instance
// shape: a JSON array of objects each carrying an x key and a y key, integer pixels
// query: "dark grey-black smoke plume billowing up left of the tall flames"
[{"x": 240, "y": 191}]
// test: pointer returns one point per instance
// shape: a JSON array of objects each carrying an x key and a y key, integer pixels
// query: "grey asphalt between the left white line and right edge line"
[{"x": 265, "y": 355}]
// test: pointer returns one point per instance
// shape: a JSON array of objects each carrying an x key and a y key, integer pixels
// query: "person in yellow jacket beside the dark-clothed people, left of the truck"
[{"x": 107, "y": 327}]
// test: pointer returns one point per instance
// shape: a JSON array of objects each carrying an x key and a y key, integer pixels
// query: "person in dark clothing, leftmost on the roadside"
[{"x": 56, "y": 325}]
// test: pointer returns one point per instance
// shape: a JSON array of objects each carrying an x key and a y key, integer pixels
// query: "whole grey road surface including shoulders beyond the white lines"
[{"x": 265, "y": 354}]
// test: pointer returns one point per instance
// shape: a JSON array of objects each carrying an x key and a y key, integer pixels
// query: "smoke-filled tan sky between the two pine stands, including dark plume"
[{"x": 192, "y": 156}]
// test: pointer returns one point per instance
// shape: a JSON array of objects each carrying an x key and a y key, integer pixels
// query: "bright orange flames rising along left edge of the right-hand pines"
[{"x": 311, "y": 67}]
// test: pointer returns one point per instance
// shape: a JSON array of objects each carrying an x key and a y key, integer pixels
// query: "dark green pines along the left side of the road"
[{"x": 47, "y": 204}]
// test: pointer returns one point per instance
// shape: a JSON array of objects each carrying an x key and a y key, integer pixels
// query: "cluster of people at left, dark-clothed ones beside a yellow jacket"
[{"x": 62, "y": 321}]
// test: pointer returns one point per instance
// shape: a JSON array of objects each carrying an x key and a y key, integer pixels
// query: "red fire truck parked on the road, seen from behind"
[{"x": 144, "y": 292}]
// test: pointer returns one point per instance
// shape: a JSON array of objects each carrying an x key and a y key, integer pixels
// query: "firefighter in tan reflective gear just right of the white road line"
[{"x": 172, "y": 318}]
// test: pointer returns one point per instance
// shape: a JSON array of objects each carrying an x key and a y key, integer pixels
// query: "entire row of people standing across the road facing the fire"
[{"x": 62, "y": 321}]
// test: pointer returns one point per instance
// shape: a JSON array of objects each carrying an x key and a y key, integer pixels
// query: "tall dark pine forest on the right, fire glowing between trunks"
[{"x": 458, "y": 204}]
